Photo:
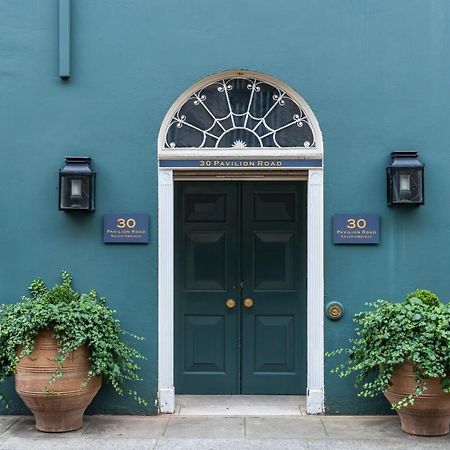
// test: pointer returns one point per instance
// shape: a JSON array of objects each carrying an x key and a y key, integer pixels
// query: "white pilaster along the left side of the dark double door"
[{"x": 166, "y": 391}]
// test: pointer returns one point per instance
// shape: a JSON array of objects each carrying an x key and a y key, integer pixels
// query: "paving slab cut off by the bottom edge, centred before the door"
[{"x": 232, "y": 444}]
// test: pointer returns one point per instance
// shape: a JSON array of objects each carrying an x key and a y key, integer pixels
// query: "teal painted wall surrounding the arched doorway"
[{"x": 375, "y": 72}]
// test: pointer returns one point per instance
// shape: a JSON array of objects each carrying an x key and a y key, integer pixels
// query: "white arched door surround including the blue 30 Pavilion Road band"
[{"x": 309, "y": 157}]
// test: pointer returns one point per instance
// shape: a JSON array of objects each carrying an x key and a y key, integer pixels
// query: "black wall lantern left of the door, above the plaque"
[{"x": 77, "y": 185}]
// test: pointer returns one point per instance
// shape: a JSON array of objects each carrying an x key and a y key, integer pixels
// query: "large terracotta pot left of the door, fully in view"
[{"x": 59, "y": 406}]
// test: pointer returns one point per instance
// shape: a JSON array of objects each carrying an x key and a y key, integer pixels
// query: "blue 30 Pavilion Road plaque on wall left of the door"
[{"x": 125, "y": 228}]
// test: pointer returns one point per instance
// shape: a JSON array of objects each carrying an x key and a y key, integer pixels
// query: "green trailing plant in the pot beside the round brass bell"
[{"x": 416, "y": 330}]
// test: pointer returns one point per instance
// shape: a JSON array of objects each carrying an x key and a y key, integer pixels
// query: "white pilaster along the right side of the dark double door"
[{"x": 315, "y": 391}]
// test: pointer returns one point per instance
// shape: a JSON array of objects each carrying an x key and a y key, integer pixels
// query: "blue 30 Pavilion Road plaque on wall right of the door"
[{"x": 356, "y": 229}]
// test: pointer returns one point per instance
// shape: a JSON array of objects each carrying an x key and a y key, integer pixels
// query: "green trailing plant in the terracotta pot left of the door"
[{"x": 74, "y": 319}]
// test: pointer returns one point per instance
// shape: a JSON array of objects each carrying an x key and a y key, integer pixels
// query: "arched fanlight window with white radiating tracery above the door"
[{"x": 240, "y": 112}]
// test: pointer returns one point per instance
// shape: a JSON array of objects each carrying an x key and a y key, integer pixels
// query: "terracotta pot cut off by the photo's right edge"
[{"x": 430, "y": 414}]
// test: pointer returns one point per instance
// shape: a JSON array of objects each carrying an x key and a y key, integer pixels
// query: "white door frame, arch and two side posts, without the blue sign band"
[{"x": 315, "y": 261}]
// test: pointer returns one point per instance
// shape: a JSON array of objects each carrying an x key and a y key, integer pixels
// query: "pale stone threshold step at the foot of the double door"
[{"x": 240, "y": 405}]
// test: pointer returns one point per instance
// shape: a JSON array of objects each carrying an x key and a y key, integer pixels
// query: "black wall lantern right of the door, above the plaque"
[{"x": 405, "y": 179}]
